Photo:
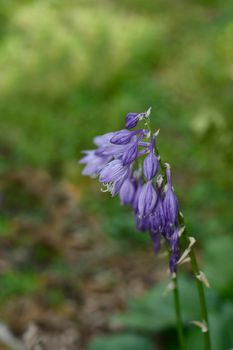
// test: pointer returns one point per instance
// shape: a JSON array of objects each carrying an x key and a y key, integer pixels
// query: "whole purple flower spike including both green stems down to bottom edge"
[{"x": 127, "y": 163}]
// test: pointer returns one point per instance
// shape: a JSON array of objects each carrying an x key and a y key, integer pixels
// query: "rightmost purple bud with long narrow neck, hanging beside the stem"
[{"x": 170, "y": 202}]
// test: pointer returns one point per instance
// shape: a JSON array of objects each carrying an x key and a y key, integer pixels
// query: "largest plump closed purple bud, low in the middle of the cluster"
[{"x": 147, "y": 199}]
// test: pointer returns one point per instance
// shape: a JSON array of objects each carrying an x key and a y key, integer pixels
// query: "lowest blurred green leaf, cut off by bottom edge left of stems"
[{"x": 121, "y": 342}]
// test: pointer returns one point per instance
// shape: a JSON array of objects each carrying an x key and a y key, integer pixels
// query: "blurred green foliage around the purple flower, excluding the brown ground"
[{"x": 71, "y": 70}]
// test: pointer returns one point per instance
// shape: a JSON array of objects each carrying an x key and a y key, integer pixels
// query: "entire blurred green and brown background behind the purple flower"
[{"x": 71, "y": 261}]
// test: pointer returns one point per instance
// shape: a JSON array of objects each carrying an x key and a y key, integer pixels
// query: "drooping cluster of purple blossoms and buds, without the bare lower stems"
[{"x": 127, "y": 163}]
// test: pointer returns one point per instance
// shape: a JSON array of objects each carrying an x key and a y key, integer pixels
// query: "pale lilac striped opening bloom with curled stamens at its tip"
[{"x": 114, "y": 171}]
